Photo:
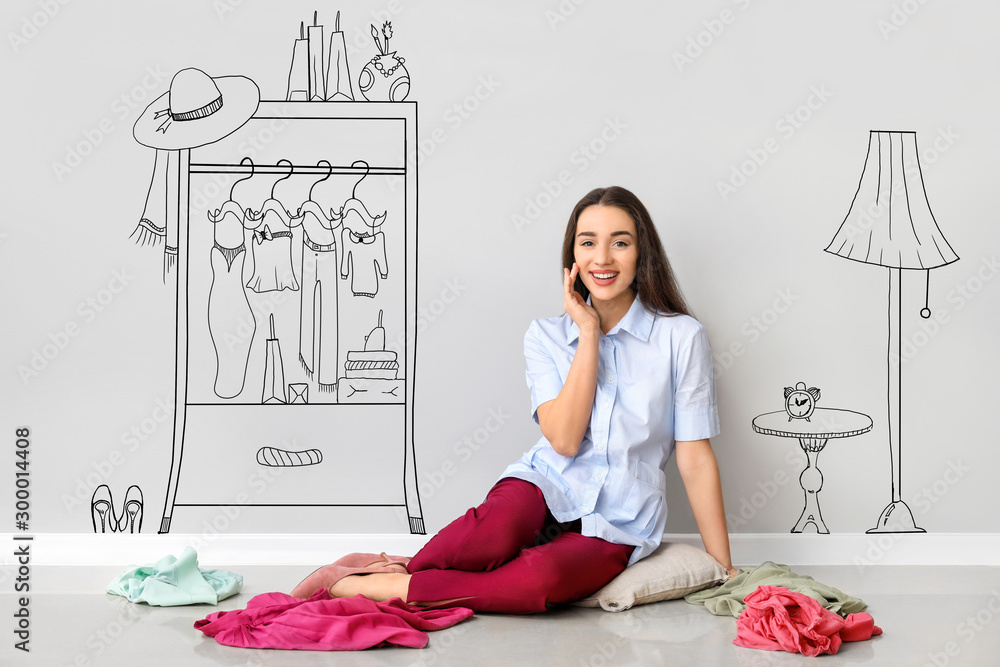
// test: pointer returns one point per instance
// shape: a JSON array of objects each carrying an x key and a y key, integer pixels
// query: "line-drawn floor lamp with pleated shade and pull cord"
[{"x": 890, "y": 224}]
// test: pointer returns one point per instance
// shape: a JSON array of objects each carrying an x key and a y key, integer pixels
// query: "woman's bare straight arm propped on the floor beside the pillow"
[{"x": 700, "y": 472}]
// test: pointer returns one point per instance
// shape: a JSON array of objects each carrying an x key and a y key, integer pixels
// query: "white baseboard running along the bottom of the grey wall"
[{"x": 310, "y": 549}]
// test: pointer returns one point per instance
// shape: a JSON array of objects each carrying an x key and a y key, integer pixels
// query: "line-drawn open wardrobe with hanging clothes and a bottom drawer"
[{"x": 344, "y": 459}]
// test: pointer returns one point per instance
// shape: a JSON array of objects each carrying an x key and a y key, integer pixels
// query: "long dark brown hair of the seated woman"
[{"x": 654, "y": 282}]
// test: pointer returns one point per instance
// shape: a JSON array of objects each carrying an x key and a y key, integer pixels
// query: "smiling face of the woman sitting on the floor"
[{"x": 607, "y": 251}]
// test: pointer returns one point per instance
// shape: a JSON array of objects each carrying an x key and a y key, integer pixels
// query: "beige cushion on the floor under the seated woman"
[{"x": 670, "y": 572}]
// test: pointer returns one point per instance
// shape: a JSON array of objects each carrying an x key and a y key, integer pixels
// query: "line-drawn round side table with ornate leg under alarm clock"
[{"x": 825, "y": 423}]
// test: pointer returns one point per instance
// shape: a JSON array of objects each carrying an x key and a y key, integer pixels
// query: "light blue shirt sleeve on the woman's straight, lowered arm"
[{"x": 696, "y": 413}]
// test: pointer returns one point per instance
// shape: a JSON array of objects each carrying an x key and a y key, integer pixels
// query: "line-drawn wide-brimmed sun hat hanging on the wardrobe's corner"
[{"x": 197, "y": 110}]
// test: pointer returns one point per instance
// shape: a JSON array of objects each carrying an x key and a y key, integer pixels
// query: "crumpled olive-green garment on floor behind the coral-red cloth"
[{"x": 727, "y": 599}]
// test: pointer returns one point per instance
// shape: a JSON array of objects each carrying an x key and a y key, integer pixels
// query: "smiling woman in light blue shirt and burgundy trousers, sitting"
[{"x": 615, "y": 382}]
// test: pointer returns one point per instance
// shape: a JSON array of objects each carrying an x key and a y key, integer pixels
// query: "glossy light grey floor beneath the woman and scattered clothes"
[{"x": 931, "y": 616}]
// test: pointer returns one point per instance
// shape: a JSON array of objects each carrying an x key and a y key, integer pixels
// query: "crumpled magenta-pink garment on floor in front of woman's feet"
[{"x": 324, "y": 623}]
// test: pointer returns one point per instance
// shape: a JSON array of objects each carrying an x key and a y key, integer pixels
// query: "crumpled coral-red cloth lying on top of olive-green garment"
[{"x": 777, "y": 619}]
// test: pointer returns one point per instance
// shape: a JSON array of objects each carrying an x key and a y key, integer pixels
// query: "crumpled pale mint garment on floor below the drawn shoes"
[{"x": 171, "y": 582}]
